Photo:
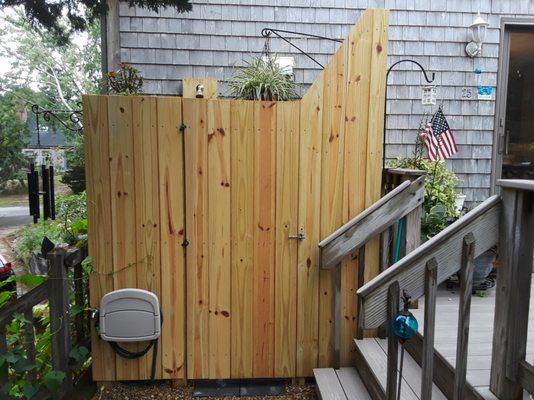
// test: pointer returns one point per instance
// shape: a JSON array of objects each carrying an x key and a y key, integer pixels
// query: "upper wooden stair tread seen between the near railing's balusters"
[{"x": 372, "y": 354}]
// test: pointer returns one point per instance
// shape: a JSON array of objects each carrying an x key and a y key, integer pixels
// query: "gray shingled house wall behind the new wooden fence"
[{"x": 219, "y": 35}]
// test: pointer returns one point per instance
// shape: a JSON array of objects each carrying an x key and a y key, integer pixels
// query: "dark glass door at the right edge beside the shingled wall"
[{"x": 517, "y": 142}]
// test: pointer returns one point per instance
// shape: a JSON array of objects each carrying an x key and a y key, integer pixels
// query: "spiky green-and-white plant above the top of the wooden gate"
[{"x": 262, "y": 79}]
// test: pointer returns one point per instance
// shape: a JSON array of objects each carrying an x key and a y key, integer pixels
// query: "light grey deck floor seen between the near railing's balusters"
[{"x": 480, "y": 333}]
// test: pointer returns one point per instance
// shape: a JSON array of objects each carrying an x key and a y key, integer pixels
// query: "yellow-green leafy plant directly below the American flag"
[{"x": 440, "y": 193}]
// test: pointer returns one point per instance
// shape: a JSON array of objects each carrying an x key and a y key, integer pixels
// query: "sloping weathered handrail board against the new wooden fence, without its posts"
[{"x": 372, "y": 221}]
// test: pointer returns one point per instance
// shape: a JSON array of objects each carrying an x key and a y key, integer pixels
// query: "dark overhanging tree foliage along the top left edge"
[{"x": 51, "y": 14}]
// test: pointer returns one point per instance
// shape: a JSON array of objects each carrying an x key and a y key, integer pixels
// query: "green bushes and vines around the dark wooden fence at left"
[{"x": 70, "y": 227}]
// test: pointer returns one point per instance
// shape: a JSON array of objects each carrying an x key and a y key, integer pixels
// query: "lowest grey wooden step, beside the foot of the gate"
[{"x": 340, "y": 384}]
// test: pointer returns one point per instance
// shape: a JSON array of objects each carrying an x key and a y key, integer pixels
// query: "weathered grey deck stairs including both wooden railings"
[{"x": 506, "y": 220}]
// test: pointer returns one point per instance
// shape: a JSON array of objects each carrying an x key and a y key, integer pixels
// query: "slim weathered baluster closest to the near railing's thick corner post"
[{"x": 466, "y": 289}]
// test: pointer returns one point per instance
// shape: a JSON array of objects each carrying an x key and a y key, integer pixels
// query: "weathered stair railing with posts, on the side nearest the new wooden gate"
[{"x": 404, "y": 200}]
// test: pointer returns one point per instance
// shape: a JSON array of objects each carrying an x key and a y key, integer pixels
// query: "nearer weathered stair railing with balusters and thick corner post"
[{"x": 507, "y": 222}]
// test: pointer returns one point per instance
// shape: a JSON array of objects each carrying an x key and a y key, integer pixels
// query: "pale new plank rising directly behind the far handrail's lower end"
[{"x": 331, "y": 204}]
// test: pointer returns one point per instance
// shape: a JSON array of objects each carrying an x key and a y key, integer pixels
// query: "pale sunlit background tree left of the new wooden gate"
[{"x": 59, "y": 75}]
